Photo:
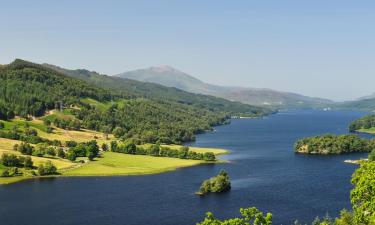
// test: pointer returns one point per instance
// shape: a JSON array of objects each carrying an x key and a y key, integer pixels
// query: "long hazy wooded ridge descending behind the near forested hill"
[{"x": 133, "y": 88}]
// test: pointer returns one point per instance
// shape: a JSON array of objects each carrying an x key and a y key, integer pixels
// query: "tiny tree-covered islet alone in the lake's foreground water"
[{"x": 220, "y": 183}]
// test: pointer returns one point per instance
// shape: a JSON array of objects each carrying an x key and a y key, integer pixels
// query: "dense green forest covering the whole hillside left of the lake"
[{"x": 28, "y": 89}]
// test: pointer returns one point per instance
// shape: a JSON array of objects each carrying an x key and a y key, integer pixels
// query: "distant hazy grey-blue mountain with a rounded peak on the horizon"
[{"x": 168, "y": 76}]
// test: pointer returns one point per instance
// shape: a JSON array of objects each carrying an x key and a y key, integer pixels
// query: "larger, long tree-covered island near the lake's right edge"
[{"x": 331, "y": 144}]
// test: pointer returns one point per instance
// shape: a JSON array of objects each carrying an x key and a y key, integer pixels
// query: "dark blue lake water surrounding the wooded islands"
[{"x": 264, "y": 170}]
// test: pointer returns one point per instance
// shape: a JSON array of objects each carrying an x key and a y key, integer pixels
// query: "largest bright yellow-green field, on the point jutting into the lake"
[{"x": 116, "y": 164}]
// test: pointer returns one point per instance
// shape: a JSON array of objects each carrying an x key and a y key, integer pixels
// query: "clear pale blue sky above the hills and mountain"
[{"x": 317, "y": 48}]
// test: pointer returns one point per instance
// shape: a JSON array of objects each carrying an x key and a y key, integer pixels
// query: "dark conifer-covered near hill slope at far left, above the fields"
[{"x": 27, "y": 88}]
